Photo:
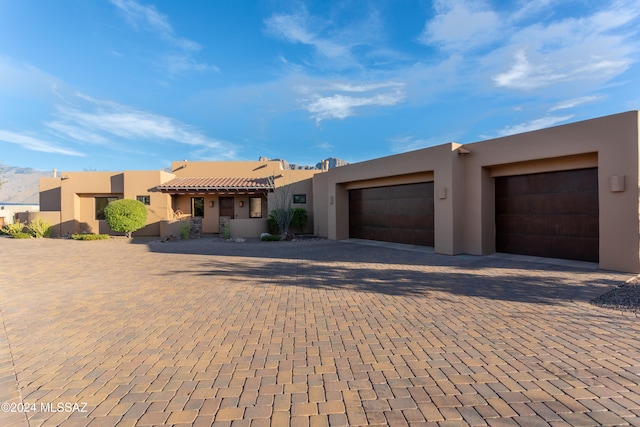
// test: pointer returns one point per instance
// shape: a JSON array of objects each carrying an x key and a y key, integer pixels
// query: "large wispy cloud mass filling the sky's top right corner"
[{"x": 532, "y": 47}]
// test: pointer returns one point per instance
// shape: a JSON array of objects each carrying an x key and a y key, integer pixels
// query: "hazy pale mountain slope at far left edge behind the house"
[{"x": 20, "y": 185}]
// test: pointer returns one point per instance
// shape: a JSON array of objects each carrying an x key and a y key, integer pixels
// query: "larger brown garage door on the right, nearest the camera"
[{"x": 551, "y": 214}]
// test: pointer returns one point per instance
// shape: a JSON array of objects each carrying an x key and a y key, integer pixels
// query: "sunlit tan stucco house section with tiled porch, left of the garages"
[{"x": 237, "y": 192}]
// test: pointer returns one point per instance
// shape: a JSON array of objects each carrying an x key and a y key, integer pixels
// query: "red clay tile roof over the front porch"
[{"x": 216, "y": 185}]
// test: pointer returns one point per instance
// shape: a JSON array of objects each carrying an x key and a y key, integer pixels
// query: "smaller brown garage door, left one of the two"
[{"x": 399, "y": 213}]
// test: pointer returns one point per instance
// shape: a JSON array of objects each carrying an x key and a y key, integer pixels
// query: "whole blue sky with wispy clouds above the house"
[{"x": 133, "y": 84}]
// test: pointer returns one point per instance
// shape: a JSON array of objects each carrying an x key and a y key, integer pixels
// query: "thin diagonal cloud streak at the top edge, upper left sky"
[{"x": 148, "y": 18}]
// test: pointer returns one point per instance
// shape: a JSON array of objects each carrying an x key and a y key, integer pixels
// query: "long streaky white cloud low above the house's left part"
[{"x": 102, "y": 122}]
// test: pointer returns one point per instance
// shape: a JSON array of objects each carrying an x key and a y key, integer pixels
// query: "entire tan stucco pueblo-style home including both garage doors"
[{"x": 569, "y": 191}]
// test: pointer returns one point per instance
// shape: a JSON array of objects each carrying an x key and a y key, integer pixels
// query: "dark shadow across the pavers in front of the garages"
[{"x": 333, "y": 265}]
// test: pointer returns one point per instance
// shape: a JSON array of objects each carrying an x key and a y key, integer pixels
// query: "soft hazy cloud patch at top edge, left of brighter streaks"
[{"x": 461, "y": 25}]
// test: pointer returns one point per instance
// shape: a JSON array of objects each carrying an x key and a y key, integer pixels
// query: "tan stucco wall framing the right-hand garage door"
[{"x": 613, "y": 140}]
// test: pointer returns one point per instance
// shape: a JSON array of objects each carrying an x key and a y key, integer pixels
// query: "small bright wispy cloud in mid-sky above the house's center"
[{"x": 327, "y": 104}]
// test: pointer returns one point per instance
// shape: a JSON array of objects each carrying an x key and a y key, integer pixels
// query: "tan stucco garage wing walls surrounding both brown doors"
[{"x": 464, "y": 184}]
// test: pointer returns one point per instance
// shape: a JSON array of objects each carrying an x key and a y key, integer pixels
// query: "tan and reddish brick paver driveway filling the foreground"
[{"x": 299, "y": 333}]
